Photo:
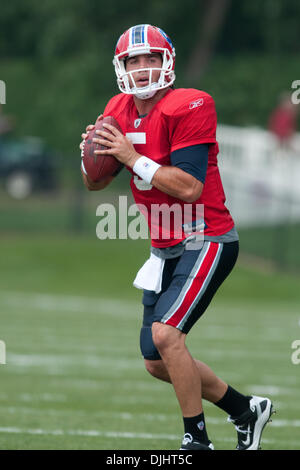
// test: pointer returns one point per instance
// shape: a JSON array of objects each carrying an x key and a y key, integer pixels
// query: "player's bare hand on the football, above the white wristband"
[{"x": 118, "y": 146}]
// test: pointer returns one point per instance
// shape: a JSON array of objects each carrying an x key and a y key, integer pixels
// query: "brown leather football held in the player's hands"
[{"x": 99, "y": 166}]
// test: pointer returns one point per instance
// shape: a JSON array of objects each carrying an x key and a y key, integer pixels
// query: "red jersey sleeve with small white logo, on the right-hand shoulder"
[{"x": 192, "y": 122}]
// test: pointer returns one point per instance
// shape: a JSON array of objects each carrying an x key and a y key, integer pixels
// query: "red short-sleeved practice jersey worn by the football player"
[{"x": 182, "y": 118}]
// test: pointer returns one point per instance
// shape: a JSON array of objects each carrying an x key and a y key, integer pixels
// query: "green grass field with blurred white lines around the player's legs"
[{"x": 74, "y": 377}]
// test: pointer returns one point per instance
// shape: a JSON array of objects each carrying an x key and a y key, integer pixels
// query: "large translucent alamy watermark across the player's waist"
[{"x": 165, "y": 222}]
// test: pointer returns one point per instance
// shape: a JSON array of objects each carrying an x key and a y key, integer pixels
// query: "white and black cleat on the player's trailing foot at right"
[{"x": 250, "y": 424}]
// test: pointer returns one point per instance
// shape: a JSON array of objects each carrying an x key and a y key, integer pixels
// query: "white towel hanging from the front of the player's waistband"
[{"x": 149, "y": 276}]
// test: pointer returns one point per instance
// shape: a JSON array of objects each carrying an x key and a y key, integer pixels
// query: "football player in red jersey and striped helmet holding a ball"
[{"x": 169, "y": 146}]
